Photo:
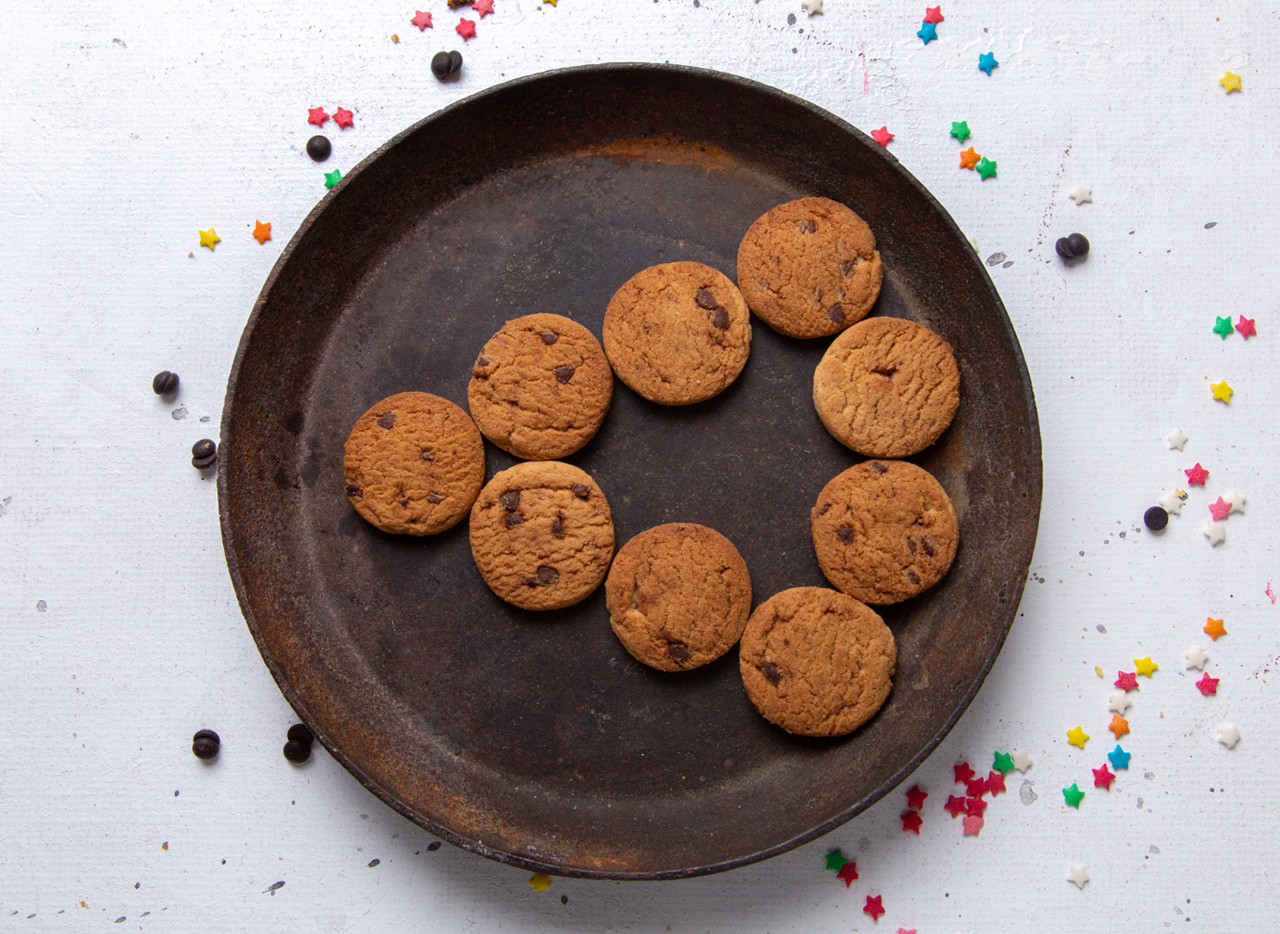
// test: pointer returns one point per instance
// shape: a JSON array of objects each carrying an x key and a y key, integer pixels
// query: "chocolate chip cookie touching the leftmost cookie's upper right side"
[{"x": 541, "y": 387}]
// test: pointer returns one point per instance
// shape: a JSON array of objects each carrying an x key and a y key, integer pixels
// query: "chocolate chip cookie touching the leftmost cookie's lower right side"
[{"x": 542, "y": 535}]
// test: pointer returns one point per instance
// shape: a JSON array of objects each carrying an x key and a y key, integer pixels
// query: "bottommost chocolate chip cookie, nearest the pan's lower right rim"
[{"x": 817, "y": 662}]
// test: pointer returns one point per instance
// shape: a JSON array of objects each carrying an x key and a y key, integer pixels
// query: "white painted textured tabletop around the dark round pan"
[{"x": 127, "y": 127}]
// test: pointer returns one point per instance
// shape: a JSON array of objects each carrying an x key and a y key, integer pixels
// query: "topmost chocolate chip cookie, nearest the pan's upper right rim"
[{"x": 810, "y": 268}]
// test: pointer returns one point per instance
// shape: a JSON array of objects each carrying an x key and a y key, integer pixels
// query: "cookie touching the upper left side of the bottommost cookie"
[{"x": 679, "y": 597}]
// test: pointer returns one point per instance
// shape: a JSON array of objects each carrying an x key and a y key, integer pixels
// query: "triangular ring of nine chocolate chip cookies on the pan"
[{"x": 815, "y": 661}]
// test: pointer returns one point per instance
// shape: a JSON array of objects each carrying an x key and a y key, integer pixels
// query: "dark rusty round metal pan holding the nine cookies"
[{"x": 536, "y": 739}]
